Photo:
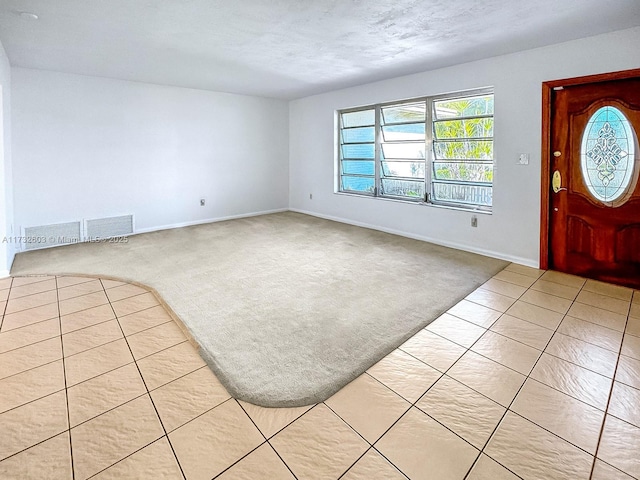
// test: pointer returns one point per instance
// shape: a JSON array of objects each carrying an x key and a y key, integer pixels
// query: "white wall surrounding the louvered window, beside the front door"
[{"x": 512, "y": 231}]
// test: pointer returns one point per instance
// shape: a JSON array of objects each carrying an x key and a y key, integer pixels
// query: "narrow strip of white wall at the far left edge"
[{"x": 7, "y": 250}]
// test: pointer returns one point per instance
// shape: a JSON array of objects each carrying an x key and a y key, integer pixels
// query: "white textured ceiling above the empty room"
[{"x": 288, "y": 48}]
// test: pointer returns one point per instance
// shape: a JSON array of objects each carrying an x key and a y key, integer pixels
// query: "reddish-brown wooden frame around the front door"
[{"x": 545, "y": 158}]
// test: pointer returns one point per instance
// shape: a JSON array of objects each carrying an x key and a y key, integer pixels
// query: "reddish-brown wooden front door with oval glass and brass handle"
[{"x": 594, "y": 217}]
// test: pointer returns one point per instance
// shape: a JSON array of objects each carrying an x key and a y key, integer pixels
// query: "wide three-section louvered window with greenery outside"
[{"x": 435, "y": 150}]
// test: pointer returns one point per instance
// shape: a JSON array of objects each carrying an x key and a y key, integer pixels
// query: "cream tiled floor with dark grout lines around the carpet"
[{"x": 535, "y": 375}]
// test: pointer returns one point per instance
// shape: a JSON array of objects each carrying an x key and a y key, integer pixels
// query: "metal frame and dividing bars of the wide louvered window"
[{"x": 429, "y": 158}]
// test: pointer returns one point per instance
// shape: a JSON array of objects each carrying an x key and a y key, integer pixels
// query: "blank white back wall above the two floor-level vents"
[{"x": 88, "y": 147}]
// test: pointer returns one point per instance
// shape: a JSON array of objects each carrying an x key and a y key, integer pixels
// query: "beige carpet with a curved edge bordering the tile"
[{"x": 287, "y": 308}]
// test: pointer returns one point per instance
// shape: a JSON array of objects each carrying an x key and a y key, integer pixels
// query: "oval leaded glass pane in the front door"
[{"x": 608, "y": 154}]
